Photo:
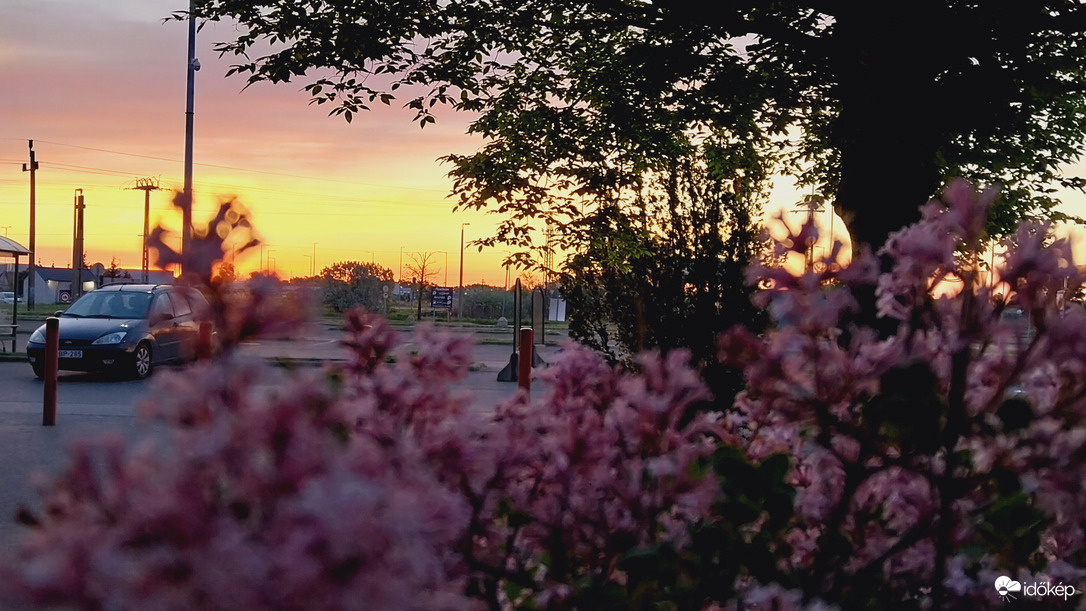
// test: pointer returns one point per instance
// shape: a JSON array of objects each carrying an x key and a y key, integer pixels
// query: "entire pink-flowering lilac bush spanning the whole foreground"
[{"x": 908, "y": 463}]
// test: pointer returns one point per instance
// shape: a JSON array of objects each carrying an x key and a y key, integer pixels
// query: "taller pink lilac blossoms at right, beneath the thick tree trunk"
[{"x": 944, "y": 450}]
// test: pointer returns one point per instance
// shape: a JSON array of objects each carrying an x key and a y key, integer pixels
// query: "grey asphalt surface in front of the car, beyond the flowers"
[{"x": 97, "y": 405}]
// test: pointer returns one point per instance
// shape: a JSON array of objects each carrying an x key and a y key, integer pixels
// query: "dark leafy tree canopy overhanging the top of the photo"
[{"x": 577, "y": 101}]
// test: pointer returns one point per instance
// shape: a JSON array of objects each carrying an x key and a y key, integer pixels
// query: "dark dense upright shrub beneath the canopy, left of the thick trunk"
[{"x": 668, "y": 272}]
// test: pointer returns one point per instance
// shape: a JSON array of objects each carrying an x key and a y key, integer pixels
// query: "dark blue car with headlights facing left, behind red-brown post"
[{"x": 128, "y": 329}]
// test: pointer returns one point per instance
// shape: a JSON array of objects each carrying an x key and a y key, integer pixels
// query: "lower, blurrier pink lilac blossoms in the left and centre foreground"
[{"x": 372, "y": 485}]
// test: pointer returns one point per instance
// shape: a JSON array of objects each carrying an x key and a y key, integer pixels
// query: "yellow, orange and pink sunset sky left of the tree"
[{"x": 99, "y": 86}]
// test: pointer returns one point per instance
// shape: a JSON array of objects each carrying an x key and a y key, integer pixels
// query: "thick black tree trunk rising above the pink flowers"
[{"x": 889, "y": 133}]
